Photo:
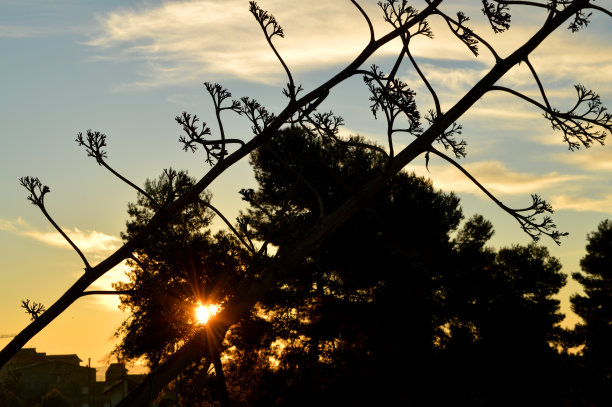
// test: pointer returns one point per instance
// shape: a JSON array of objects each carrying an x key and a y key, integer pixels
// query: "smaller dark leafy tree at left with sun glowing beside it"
[{"x": 179, "y": 266}]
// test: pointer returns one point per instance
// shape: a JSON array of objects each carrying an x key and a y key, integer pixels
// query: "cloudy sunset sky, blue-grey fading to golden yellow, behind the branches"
[{"x": 128, "y": 68}]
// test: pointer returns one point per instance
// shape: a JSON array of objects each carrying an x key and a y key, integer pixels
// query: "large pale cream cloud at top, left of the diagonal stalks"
[{"x": 182, "y": 40}]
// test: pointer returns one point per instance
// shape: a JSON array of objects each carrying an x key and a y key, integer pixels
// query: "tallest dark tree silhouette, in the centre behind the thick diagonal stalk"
[{"x": 367, "y": 301}]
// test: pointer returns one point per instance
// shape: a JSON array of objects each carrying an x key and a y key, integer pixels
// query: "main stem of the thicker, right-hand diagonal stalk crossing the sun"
[{"x": 194, "y": 349}]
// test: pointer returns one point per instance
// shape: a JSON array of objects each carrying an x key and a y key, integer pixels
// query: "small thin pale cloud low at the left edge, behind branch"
[{"x": 89, "y": 241}]
